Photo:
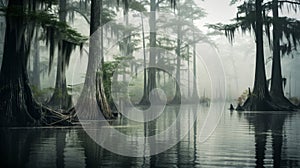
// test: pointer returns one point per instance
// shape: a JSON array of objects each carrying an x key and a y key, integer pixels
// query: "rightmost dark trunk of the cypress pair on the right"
[{"x": 276, "y": 91}]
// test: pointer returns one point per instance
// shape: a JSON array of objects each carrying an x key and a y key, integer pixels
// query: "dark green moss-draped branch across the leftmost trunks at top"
[{"x": 54, "y": 30}]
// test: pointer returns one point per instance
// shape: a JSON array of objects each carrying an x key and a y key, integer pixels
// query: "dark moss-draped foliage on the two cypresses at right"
[{"x": 245, "y": 21}]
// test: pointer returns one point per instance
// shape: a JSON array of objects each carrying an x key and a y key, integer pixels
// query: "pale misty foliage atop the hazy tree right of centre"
[{"x": 186, "y": 12}]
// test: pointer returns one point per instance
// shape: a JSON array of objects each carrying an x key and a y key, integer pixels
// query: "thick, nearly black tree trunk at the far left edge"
[{"x": 17, "y": 106}]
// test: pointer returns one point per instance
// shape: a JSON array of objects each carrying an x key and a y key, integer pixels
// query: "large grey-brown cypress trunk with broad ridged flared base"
[{"x": 88, "y": 106}]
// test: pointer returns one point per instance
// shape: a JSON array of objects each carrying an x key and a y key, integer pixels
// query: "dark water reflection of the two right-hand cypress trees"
[{"x": 262, "y": 123}]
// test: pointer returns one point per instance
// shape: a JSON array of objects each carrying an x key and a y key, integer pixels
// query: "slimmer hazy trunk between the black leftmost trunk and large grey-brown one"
[{"x": 60, "y": 98}]
